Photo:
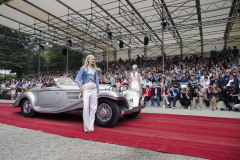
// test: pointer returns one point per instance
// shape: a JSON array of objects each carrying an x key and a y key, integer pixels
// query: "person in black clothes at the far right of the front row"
[{"x": 231, "y": 96}]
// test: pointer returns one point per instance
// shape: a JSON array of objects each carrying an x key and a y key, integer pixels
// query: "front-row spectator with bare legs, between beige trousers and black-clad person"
[{"x": 213, "y": 94}]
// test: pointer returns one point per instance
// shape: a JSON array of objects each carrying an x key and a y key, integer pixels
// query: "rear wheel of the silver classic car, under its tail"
[{"x": 26, "y": 108}]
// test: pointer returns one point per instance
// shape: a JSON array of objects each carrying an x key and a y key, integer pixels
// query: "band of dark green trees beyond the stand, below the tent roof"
[{"x": 20, "y": 54}]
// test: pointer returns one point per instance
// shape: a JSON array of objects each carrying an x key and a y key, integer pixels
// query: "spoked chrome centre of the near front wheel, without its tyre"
[{"x": 104, "y": 112}]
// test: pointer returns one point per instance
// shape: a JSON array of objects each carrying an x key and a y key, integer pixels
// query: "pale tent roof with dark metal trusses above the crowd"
[{"x": 190, "y": 23}]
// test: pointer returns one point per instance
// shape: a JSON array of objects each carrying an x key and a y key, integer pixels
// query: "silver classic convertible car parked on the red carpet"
[{"x": 65, "y": 97}]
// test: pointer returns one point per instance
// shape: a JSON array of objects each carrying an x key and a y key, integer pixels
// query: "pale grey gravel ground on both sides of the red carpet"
[{"x": 21, "y": 143}]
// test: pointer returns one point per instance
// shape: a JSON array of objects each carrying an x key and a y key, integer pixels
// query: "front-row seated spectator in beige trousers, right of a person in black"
[{"x": 198, "y": 96}]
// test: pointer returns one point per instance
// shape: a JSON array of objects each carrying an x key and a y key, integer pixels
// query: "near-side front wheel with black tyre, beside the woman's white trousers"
[{"x": 107, "y": 113}]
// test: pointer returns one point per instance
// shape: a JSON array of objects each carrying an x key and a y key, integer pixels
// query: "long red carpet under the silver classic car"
[{"x": 205, "y": 137}]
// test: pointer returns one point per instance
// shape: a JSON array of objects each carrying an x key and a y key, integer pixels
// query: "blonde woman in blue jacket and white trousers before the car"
[{"x": 87, "y": 80}]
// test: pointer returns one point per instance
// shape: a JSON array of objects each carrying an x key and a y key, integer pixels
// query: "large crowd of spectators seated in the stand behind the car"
[{"x": 189, "y": 80}]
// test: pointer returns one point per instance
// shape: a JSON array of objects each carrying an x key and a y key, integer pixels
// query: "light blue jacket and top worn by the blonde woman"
[{"x": 86, "y": 74}]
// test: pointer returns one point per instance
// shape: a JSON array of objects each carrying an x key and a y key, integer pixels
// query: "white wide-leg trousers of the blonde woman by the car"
[{"x": 90, "y": 101}]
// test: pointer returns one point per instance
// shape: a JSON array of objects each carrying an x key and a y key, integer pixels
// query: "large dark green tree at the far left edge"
[{"x": 14, "y": 53}]
